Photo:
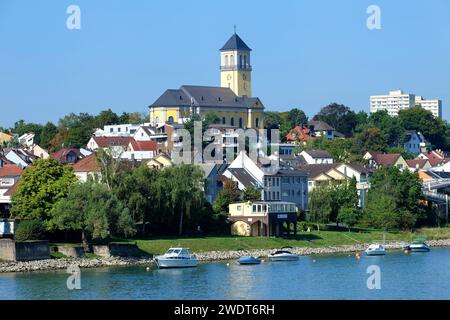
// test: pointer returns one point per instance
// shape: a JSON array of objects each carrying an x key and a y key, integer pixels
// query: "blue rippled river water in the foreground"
[{"x": 413, "y": 276}]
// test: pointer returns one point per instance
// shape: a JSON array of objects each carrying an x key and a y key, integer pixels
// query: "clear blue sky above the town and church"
[{"x": 306, "y": 54}]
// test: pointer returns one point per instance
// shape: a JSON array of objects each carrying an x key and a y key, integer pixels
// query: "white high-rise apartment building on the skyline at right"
[{"x": 399, "y": 100}]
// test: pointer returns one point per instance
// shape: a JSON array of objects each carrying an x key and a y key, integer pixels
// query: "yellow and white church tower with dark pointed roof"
[{"x": 235, "y": 68}]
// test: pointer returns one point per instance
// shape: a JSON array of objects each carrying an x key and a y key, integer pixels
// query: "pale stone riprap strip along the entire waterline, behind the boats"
[{"x": 207, "y": 256}]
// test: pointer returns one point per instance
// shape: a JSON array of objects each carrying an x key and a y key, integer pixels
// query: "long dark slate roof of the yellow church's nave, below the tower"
[{"x": 199, "y": 96}]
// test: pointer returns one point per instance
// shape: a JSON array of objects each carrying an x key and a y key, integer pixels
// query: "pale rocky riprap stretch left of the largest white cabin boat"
[{"x": 54, "y": 264}]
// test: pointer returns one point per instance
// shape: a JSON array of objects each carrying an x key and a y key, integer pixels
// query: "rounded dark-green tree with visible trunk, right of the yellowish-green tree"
[{"x": 92, "y": 209}]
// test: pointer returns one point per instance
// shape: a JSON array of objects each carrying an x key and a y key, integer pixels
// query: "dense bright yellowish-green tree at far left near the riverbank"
[{"x": 40, "y": 188}]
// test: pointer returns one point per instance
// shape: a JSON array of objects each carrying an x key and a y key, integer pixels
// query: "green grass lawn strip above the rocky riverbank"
[{"x": 313, "y": 239}]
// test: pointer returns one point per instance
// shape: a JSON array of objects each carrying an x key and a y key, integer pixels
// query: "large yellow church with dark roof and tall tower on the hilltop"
[{"x": 232, "y": 101}]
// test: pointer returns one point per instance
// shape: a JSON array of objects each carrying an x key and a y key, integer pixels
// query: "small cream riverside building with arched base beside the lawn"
[{"x": 260, "y": 218}]
